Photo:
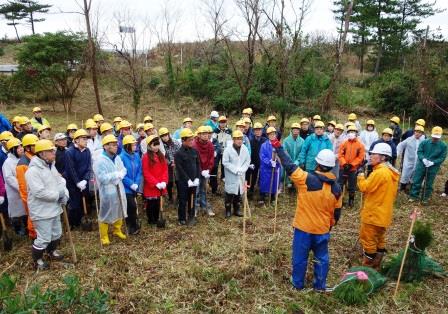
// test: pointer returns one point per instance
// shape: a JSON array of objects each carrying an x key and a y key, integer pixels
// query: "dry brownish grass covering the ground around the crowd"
[{"x": 199, "y": 269}]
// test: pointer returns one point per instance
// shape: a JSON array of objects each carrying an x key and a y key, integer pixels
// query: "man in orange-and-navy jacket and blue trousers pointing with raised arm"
[{"x": 318, "y": 209}]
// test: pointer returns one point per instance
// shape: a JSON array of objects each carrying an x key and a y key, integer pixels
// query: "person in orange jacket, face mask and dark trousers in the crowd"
[{"x": 351, "y": 156}]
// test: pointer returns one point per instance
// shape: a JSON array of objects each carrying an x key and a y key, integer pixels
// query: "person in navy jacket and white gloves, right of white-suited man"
[{"x": 77, "y": 172}]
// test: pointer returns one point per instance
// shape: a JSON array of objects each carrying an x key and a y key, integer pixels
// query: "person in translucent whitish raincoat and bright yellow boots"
[{"x": 109, "y": 172}]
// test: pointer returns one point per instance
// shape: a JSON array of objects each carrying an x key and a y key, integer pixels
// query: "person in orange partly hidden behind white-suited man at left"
[{"x": 28, "y": 142}]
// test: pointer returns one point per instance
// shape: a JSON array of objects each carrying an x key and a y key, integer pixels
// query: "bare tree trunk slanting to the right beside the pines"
[{"x": 329, "y": 95}]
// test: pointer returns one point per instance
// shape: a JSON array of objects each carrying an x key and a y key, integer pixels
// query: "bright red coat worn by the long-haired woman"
[{"x": 154, "y": 173}]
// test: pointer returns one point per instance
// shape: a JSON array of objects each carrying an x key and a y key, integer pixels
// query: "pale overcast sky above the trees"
[{"x": 191, "y": 24}]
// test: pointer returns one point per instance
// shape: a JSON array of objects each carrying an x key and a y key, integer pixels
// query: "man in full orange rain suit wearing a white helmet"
[{"x": 380, "y": 190}]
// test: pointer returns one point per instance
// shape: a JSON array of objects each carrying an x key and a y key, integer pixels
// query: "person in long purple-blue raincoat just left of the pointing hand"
[{"x": 269, "y": 165}]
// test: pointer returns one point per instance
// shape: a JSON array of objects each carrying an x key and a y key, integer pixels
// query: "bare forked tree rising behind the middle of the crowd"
[{"x": 251, "y": 11}]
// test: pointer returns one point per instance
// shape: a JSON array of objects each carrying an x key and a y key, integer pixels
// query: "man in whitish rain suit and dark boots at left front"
[{"x": 46, "y": 194}]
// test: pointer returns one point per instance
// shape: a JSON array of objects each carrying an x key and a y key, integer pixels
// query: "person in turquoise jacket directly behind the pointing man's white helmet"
[{"x": 314, "y": 143}]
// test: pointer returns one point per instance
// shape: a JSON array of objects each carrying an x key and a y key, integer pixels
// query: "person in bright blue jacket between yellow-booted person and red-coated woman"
[{"x": 132, "y": 180}]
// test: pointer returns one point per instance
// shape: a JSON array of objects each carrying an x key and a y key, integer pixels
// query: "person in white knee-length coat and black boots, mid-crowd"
[{"x": 236, "y": 161}]
